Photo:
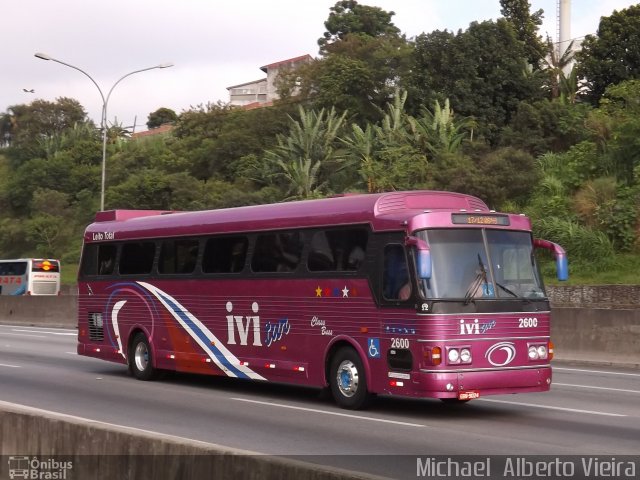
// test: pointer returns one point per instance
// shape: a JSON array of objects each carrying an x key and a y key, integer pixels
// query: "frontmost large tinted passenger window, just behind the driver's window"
[{"x": 336, "y": 250}]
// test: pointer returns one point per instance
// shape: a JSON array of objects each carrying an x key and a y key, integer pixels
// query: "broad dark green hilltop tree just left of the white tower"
[{"x": 480, "y": 84}]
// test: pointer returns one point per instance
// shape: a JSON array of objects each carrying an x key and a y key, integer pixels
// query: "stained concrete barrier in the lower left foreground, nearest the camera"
[{"x": 80, "y": 448}]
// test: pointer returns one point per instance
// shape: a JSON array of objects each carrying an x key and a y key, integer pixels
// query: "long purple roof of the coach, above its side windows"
[{"x": 382, "y": 211}]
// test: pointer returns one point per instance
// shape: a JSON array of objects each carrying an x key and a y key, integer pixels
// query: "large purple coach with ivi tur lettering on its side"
[{"x": 419, "y": 294}]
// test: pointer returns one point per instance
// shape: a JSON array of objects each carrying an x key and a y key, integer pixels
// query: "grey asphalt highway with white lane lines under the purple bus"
[{"x": 591, "y": 410}]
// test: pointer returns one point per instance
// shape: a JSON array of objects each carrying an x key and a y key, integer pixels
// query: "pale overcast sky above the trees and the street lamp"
[{"x": 212, "y": 45}]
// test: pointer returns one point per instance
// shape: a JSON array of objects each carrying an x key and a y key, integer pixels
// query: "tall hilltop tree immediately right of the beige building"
[{"x": 364, "y": 58}]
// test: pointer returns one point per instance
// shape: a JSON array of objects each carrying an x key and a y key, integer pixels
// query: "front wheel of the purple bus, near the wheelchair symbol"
[{"x": 348, "y": 380}]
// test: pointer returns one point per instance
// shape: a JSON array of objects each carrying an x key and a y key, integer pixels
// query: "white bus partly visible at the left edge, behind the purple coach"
[{"x": 30, "y": 276}]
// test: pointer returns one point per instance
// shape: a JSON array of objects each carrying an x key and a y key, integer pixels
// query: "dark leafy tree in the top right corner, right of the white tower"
[{"x": 613, "y": 54}]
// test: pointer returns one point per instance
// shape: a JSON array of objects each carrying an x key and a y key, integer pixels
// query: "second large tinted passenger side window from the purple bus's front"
[{"x": 277, "y": 252}]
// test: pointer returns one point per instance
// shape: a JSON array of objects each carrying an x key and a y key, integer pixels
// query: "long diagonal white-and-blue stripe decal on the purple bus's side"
[{"x": 224, "y": 355}]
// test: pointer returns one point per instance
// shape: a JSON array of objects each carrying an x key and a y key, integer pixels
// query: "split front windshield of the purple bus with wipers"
[{"x": 481, "y": 263}]
